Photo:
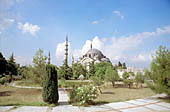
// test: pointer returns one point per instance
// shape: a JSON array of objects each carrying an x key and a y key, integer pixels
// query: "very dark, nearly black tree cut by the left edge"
[{"x": 3, "y": 64}]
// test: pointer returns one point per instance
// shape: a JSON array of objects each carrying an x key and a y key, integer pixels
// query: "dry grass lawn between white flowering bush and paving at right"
[{"x": 111, "y": 94}]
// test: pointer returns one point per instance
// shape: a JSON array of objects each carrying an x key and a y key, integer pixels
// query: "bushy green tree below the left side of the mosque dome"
[{"x": 78, "y": 69}]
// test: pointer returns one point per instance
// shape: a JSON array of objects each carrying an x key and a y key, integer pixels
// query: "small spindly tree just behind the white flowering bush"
[{"x": 97, "y": 81}]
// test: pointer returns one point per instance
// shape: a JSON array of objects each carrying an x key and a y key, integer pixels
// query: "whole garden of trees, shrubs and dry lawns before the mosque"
[{"x": 100, "y": 84}]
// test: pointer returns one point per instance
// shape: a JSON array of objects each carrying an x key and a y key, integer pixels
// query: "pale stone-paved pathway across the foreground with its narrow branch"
[{"x": 150, "y": 104}]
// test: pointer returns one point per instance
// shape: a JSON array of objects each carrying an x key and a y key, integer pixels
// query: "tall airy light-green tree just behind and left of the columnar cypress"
[{"x": 39, "y": 69}]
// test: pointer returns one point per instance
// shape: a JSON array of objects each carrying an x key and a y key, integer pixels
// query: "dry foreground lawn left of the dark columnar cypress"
[{"x": 20, "y": 96}]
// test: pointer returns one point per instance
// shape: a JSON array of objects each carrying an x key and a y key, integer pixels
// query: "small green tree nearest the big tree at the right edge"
[{"x": 139, "y": 78}]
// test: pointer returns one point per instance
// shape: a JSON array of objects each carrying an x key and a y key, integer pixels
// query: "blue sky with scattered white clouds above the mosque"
[{"x": 129, "y": 31}]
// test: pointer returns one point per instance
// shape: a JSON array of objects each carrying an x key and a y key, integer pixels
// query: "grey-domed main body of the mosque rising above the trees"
[{"x": 92, "y": 55}]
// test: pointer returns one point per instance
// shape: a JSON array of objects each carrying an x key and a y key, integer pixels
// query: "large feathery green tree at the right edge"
[{"x": 160, "y": 71}]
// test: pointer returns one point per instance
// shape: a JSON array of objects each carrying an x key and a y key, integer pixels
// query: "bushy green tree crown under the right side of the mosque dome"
[{"x": 100, "y": 69}]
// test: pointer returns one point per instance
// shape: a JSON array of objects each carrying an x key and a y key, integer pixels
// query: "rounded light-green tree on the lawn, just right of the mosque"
[{"x": 111, "y": 75}]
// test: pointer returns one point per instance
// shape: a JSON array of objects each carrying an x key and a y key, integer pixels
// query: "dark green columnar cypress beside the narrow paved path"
[{"x": 50, "y": 85}]
